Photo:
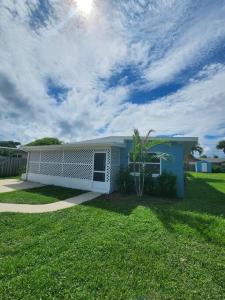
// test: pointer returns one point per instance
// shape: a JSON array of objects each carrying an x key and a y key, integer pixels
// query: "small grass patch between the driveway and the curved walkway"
[{"x": 41, "y": 195}]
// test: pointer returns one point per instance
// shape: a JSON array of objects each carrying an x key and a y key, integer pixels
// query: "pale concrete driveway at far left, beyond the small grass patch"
[{"x": 10, "y": 185}]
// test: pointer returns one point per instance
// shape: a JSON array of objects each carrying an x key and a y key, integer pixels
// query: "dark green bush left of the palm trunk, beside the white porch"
[{"x": 124, "y": 181}]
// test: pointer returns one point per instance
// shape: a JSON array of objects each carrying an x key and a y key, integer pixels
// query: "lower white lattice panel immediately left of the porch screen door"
[{"x": 77, "y": 171}]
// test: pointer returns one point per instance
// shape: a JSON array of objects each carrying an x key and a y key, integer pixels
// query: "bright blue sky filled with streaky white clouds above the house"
[{"x": 77, "y": 72}]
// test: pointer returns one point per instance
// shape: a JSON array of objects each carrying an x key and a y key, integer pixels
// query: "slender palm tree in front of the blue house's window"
[{"x": 141, "y": 148}]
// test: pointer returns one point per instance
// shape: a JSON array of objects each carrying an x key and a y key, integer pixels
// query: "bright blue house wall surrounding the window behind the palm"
[{"x": 174, "y": 165}]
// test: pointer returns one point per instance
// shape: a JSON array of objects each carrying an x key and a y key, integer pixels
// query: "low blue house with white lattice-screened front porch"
[{"x": 93, "y": 165}]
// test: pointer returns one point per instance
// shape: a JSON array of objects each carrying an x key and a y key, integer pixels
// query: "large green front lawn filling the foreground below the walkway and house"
[{"x": 118, "y": 247}]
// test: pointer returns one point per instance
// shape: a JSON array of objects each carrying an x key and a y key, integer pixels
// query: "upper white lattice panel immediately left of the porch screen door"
[{"x": 83, "y": 156}]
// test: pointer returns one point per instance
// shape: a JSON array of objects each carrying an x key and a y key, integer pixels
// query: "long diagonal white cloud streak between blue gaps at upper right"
[{"x": 201, "y": 35}]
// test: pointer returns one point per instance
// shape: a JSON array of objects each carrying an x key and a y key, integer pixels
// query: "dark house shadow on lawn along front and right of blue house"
[{"x": 200, "y": 197}]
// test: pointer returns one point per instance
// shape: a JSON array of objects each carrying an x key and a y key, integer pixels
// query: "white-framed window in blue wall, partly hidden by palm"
[{"x": 152, "y": 165}]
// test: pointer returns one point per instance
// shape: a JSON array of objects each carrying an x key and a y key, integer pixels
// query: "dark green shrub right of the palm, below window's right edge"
[{"x": 167, "y": 185}]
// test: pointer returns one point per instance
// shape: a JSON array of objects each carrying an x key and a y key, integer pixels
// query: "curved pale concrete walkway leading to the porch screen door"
[{"x": 44, "y": 208}]
